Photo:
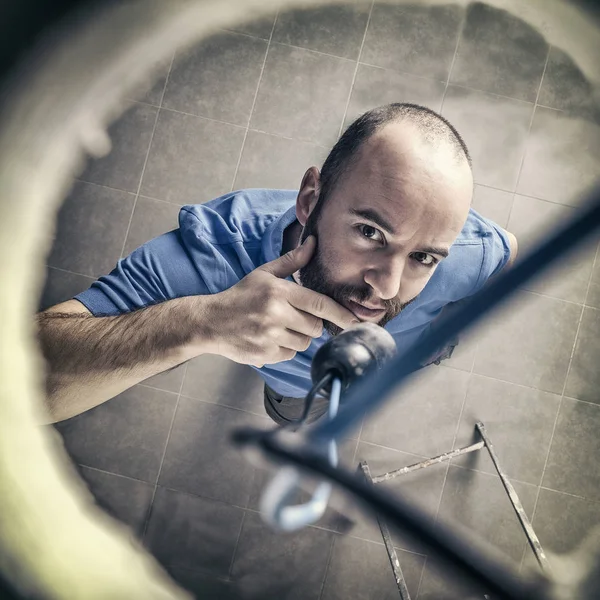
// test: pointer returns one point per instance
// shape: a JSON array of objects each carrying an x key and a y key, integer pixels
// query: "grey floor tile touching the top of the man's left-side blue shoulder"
[{"x": 185, "y": 166}]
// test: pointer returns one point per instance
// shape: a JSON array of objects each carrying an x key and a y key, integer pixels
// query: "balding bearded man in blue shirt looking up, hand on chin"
[{"x": 384, "y": 233}]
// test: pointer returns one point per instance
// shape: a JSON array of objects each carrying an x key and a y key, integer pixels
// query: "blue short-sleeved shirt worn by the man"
[{"x": 221, "y": 241}]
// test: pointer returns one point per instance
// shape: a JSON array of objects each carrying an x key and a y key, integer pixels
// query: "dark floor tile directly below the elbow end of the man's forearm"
[{"x": 126, "y": 435}]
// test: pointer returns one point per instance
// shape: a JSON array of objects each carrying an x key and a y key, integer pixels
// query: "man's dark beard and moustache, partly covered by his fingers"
[{"x": 317, "y": 276}]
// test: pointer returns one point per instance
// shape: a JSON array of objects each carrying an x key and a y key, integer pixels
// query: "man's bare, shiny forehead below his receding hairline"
[{"x": 412, "y": 183}]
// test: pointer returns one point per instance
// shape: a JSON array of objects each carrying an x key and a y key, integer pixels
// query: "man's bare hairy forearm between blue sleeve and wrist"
[{"x": 92, "y": 359}]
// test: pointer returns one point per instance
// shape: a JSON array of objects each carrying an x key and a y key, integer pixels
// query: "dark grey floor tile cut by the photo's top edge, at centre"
[{"x": 336, "y": 29}]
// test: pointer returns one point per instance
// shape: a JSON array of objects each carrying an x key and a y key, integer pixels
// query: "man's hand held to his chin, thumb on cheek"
[{"x": 265, "y": 319}]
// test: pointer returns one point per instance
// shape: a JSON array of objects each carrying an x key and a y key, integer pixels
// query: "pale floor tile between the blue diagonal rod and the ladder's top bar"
[{"x": 430, "y": 403}]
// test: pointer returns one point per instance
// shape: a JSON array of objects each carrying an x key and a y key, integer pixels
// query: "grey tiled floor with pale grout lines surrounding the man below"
[{"x": 256, "y": 108}]
